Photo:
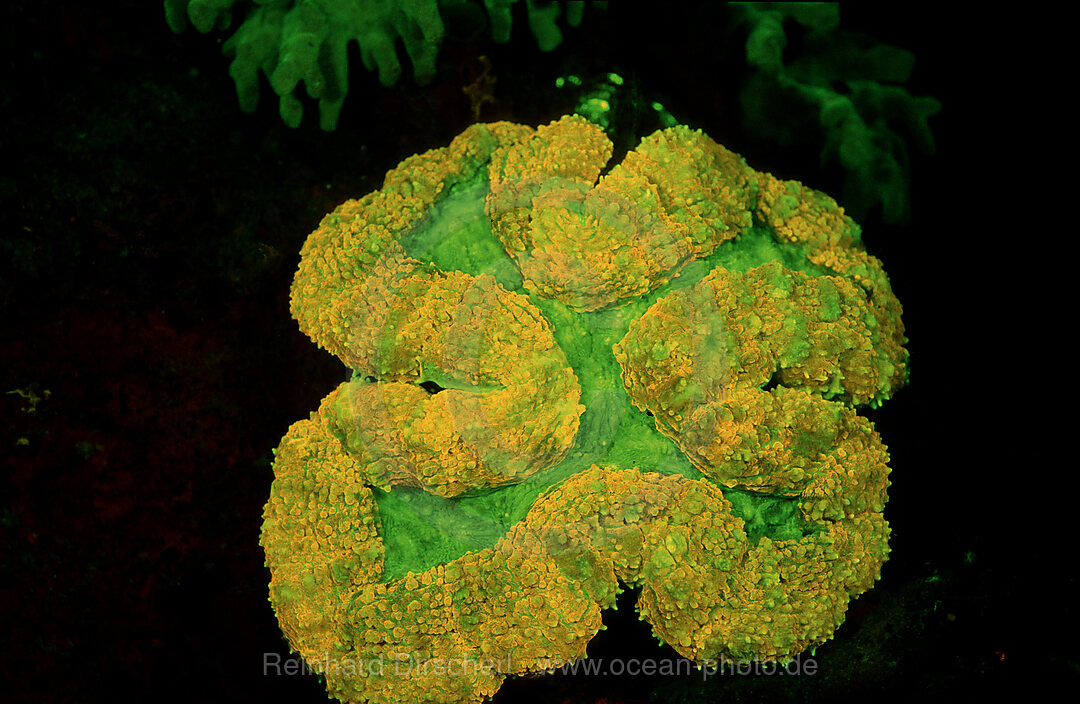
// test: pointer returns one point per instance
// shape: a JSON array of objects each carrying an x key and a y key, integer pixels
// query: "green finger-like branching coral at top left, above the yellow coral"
[{"x": 306, "y": 42}]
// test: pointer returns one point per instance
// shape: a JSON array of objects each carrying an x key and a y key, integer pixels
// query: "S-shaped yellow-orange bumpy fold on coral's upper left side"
[{"x": 515, "y": 407}]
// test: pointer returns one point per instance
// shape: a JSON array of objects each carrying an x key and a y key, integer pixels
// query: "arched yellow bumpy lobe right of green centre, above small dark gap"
[{"x": 738, "y": 330}]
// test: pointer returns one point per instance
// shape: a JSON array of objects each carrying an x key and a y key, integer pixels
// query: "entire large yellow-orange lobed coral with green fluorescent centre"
[{"x": 565, "y": 380}]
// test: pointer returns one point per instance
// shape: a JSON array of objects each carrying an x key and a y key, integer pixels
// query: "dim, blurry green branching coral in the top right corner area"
[{"x": 847, "y": 84}]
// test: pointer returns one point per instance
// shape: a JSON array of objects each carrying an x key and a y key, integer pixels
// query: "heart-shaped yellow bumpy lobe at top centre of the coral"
[{"x": 591, "y": 242}]
